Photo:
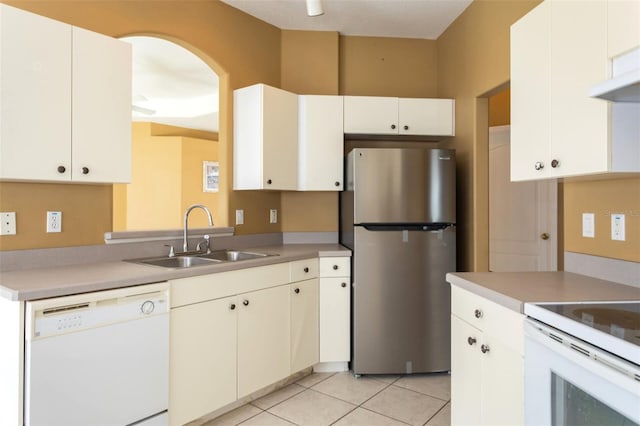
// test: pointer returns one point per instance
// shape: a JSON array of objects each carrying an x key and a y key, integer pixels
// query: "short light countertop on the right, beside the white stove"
[{"x": 514, "y": 289}]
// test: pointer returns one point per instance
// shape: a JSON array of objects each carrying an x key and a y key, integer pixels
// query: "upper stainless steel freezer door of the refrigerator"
[{"x": 402, "y": 185}]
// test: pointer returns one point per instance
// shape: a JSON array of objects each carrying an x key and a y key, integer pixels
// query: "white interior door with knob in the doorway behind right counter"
[{"x": 522, "y": 215}]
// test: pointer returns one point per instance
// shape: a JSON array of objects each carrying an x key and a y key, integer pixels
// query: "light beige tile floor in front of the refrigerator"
[{"x": 340, "y": 399}]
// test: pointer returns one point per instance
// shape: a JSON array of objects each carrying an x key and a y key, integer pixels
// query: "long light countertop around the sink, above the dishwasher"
[{"x": 42, "y": 283}]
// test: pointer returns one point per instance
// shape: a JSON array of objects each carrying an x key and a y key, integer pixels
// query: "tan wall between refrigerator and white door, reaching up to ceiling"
[{"x": 473, "y": 63}]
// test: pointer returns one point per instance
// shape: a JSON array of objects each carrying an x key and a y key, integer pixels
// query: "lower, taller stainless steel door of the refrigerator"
[{"x": 401, "y": 301}]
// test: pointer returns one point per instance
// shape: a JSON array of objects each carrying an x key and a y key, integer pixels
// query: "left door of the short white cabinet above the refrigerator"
[{"x": 370, "y": 115}]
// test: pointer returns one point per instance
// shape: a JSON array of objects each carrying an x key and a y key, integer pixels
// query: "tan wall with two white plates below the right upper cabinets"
[{"x": 603, "y": 198}]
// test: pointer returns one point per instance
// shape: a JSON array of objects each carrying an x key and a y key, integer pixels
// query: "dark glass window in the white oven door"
[{"x": 570, "y": 405}]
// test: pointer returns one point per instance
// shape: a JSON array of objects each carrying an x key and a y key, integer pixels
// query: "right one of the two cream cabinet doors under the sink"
[{"x": 263, "y": 338}]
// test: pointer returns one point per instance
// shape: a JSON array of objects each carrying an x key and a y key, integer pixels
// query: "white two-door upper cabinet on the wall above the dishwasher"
[{"x": 66, "y": 102}]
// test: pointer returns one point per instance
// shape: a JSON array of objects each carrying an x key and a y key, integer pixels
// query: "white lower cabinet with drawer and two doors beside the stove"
[{"x": 487, "y": 362}]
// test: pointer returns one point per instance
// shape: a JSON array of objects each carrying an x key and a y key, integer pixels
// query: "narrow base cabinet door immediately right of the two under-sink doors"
[{"x": 304, "y": 324}]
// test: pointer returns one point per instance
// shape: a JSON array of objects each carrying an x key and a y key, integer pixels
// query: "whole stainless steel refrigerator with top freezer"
[{"x": 398, "y": 215}]
